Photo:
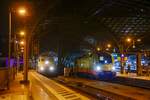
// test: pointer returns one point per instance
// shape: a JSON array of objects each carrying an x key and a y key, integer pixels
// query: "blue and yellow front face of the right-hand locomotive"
[{"x": 104, "y": 67}]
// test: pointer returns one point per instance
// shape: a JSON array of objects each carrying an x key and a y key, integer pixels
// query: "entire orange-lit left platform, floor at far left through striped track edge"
[{"x": 39, "y": 88}]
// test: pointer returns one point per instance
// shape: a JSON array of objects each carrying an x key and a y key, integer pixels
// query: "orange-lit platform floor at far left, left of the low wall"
[{"x": 16, "y": 91}]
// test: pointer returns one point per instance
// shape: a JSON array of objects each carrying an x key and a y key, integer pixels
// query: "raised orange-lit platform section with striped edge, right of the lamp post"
[{"x": 53, "y": 90}]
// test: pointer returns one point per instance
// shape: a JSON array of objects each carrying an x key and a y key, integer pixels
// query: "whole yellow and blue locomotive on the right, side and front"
[{"x": 98, "y": 65}]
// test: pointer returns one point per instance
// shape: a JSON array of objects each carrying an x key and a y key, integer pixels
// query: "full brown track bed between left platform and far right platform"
[{"x": 106, "y": 90}]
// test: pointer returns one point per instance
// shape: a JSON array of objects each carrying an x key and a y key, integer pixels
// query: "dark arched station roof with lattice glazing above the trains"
[{"x": 77, "y": 18}]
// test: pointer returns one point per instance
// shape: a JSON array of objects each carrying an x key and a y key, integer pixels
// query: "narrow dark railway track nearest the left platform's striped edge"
[{"x": 98, "y": 93}]
